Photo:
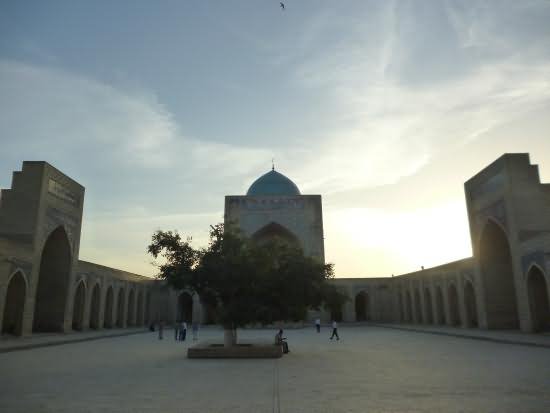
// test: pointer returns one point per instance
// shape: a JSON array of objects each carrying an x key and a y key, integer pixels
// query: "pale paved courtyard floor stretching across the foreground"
[{"x": 371, "y": 369}]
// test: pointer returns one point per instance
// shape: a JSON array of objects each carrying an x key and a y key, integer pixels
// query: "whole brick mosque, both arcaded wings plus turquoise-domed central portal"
[{"x": 505, "y": 284}]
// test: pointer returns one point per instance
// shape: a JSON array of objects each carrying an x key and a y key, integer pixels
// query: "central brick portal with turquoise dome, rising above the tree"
[{"x": 274, "y": 207}]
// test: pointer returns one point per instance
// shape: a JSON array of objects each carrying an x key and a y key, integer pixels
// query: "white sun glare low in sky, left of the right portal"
[{"x": 407, "y": 240}]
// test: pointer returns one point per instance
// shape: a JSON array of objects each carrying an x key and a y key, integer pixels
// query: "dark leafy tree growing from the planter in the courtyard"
[{"x": 246, "y": 282}]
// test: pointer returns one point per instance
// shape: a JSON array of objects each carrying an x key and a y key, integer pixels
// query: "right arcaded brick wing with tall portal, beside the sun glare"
[{"x": 506, "y": 284}]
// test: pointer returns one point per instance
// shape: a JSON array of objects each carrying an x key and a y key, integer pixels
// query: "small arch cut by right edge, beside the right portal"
[{"x": 538, "y": 299}]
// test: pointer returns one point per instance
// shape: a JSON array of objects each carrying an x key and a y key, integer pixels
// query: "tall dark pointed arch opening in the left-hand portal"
[{"x": 53, "y": 283}]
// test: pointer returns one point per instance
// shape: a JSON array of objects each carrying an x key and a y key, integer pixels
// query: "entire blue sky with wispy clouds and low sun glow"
[{"x": 385, "y": 108}]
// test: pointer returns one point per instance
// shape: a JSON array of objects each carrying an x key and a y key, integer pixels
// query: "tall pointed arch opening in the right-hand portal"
[{"x": 498, "y": 278}]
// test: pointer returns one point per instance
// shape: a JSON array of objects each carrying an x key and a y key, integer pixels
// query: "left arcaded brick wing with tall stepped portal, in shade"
[{"x": 44, "y": 287}]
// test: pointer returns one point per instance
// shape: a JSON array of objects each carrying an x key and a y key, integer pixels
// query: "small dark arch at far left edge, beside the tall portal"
[{"x": 12, "y": 321}]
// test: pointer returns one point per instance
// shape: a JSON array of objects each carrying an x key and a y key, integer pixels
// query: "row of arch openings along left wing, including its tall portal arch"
[{"x": 90, "y": 301}]
